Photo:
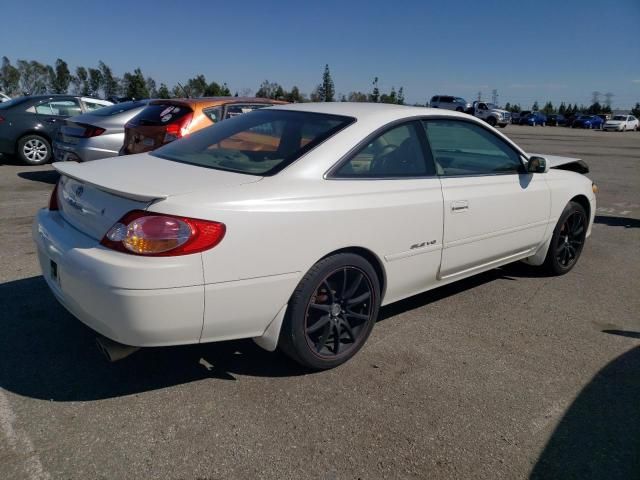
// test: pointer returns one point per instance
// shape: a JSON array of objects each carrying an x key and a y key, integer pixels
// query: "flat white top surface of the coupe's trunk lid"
[{"x": 145, "y": 177}]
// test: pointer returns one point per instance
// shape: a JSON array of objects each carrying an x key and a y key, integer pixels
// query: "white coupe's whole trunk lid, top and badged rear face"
[{"x": 93, "y": 196}]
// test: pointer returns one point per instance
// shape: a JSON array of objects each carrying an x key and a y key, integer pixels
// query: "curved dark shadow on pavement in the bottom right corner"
[{"x": 599, "y": 435}]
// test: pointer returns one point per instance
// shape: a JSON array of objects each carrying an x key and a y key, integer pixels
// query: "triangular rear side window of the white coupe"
[{"x": 395, "y": 153}]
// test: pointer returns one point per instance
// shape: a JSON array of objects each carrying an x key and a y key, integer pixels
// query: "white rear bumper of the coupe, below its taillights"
[{"x": 83, "y": 276}]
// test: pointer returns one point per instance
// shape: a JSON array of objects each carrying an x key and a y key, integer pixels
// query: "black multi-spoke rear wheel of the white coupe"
[{"x": 332, "y": 312}]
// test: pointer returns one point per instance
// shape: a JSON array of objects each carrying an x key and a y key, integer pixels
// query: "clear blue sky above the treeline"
[{"x": 535, "y": 50}]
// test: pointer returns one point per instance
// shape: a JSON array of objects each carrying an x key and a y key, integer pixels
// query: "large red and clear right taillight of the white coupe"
[{"x": 160, "y": 235}]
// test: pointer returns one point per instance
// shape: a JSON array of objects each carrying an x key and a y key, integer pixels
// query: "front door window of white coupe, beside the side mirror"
[{"x": 464, "y": 148}]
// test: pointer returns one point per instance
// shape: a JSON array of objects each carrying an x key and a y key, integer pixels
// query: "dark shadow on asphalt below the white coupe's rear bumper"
[{"x": 46, "y": 353}]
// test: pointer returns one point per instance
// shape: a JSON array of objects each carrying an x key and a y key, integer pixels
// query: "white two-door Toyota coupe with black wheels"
[{"x": 292, "y": 225}]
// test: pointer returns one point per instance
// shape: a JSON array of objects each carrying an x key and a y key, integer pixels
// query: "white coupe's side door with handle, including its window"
[{"x": 493, "y": 210}]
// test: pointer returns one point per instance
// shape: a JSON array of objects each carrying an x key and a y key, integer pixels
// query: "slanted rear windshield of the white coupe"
[{"x": 261, "y": 142}]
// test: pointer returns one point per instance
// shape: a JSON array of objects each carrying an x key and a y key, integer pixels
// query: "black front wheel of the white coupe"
[{"x": 567, "y": 240}]
